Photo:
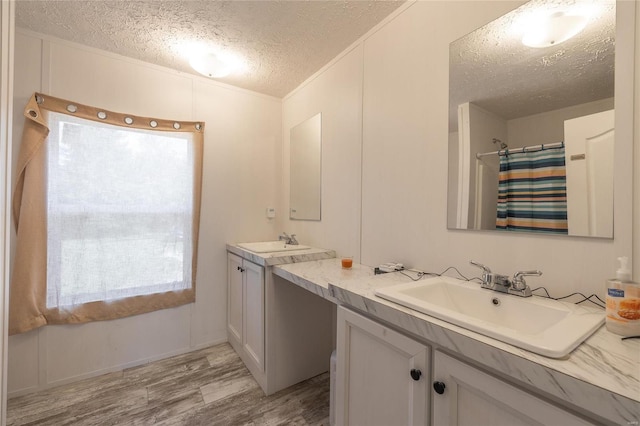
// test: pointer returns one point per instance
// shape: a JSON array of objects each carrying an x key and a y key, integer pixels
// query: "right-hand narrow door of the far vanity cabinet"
[{"x": 254, "y": 312}]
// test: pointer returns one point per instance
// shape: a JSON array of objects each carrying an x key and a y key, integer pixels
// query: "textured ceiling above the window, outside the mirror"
[{"x": 282, "y": 42}]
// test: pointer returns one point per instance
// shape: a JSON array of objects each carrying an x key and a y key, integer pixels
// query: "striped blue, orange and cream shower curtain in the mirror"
[{"x": 532, "y": 192}]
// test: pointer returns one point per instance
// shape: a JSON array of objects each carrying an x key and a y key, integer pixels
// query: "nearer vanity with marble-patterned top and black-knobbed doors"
[{"x": 393, "y": 361}]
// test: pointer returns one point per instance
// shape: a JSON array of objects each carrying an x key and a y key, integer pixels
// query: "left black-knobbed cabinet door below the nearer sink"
[{"x": 374, "y": 383}]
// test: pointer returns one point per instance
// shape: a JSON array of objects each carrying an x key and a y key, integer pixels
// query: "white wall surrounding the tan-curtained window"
[{"x": 242, "y": 163}]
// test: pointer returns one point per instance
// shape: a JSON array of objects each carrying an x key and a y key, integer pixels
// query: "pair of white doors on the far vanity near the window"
[{"x": 245, "y": 307}]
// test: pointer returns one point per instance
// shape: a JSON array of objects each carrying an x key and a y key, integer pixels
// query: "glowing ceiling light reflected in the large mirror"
[{"x": 554, "y": 28}]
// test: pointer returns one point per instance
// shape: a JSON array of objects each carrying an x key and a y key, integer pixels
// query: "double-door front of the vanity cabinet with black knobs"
[{"x": 377, "y": 383}]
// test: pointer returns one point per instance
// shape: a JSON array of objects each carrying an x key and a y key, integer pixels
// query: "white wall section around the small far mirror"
[{"x": 337, "y": 94}]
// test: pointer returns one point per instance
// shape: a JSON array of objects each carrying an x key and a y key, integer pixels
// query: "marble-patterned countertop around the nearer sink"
[{"x": 602, "y": 375}]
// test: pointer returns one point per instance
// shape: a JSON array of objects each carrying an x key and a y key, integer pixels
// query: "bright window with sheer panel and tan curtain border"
[{"x": 107, "y": 210}]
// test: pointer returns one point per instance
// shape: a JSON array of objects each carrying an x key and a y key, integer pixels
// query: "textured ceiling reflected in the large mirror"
[{"x": 493, "y": 69}]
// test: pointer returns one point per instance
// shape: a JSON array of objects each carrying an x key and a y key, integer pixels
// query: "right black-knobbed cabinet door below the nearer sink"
[{"x": 473, "y": 397}]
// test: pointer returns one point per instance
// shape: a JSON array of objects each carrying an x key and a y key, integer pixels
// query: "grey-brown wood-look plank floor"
[{"x": 206, "y": 387}]
